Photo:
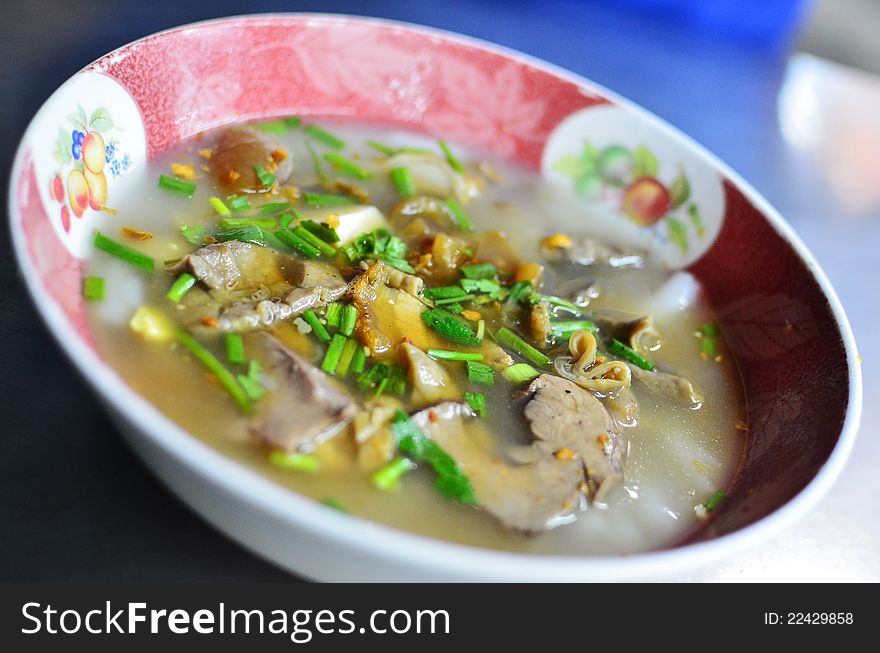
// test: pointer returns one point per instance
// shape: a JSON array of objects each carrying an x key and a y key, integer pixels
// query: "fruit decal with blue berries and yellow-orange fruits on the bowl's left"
[{"x": 91, "y": 153}]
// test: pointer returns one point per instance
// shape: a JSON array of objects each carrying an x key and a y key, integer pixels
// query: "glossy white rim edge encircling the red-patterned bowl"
[{"x": 446, "y": 559}]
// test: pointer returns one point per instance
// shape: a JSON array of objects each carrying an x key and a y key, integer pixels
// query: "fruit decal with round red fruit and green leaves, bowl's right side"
[{"x": 629, "y": 180}]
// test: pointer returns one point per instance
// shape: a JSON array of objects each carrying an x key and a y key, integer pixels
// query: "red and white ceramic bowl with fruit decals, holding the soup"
[{"x": 781, "y": 318}]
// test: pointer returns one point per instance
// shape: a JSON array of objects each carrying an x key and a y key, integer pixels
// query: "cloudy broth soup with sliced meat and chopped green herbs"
[{"x": 418, "y": 336}]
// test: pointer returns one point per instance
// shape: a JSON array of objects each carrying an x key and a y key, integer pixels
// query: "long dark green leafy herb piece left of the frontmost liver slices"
[{"x": 451, "y": 480}]
